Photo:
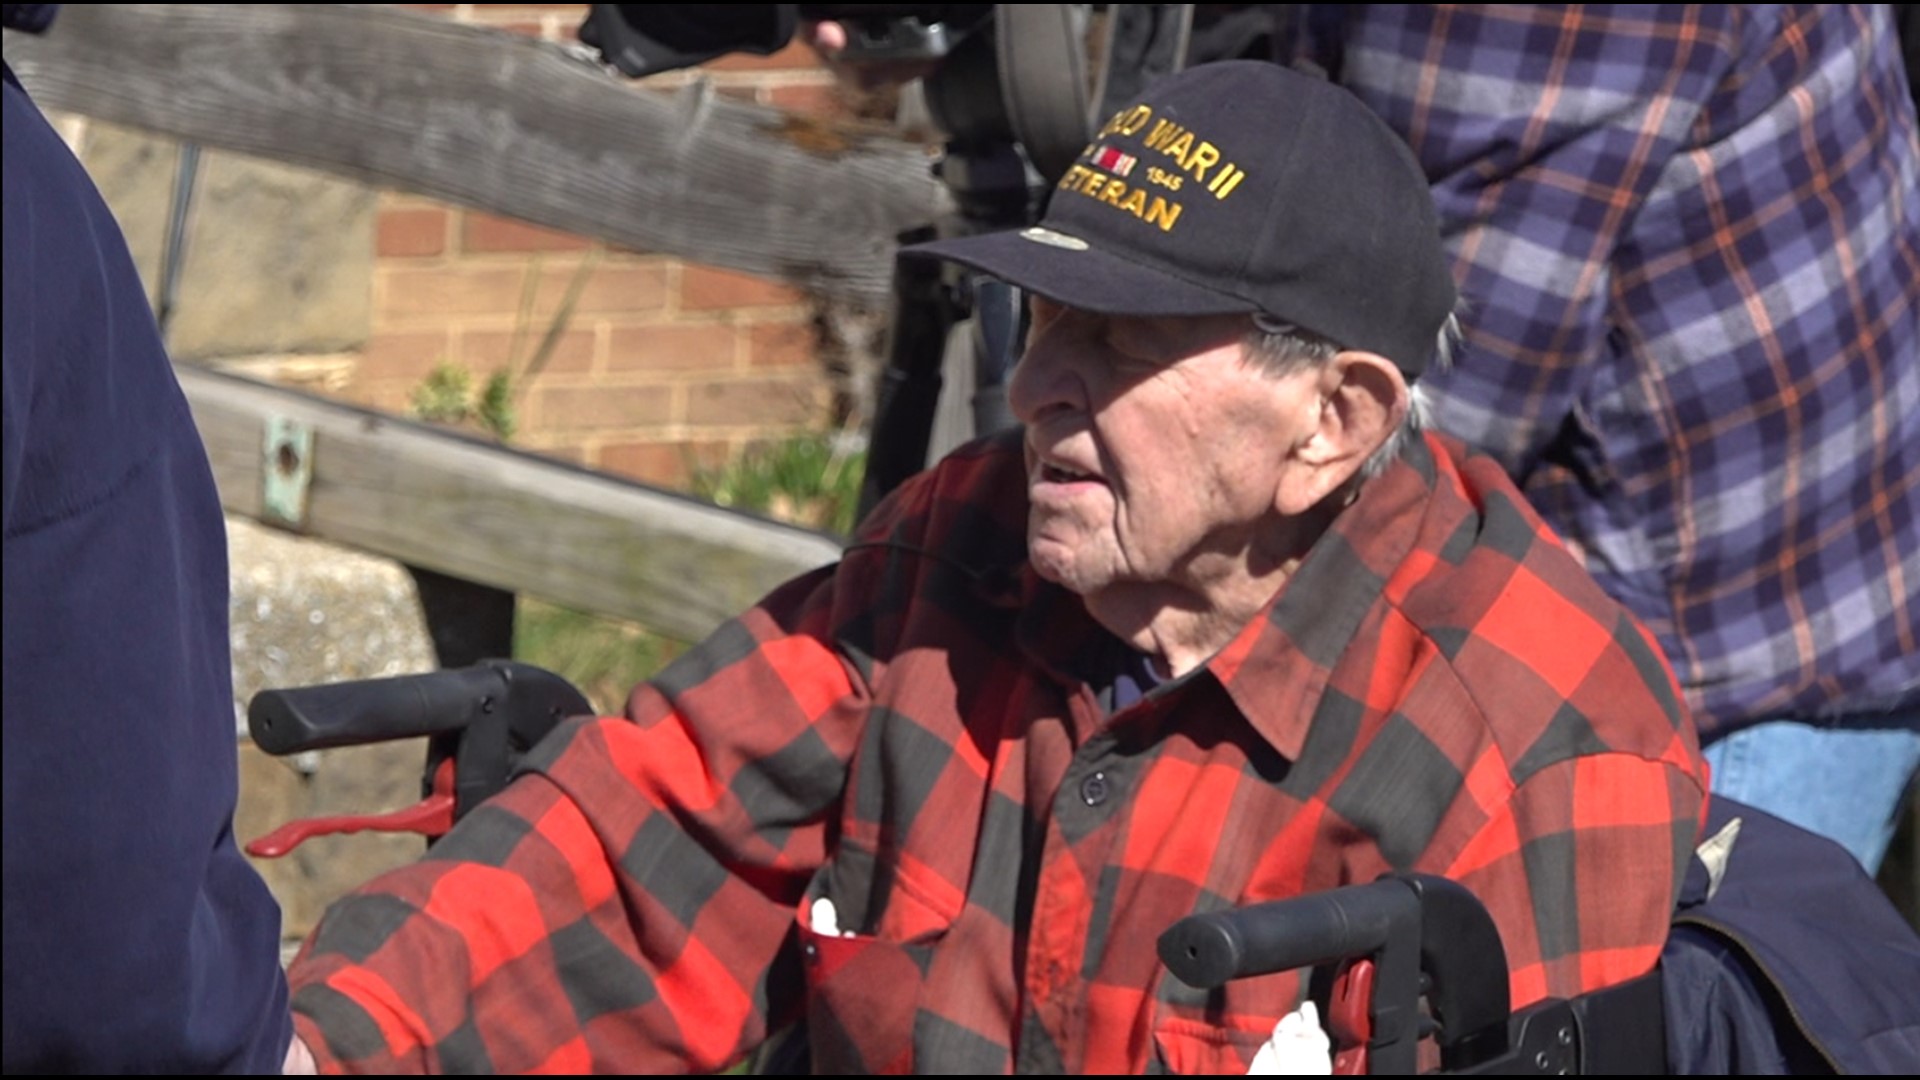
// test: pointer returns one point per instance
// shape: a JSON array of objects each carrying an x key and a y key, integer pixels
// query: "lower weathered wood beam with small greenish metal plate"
[{"x": 494, "y": 516}]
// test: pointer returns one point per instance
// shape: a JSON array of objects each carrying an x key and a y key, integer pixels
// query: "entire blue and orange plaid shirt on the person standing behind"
[{"x": 1689, "y": 237}]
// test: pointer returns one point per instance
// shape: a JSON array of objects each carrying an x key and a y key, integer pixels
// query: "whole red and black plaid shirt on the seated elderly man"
[{"x": 919, "y": 737}]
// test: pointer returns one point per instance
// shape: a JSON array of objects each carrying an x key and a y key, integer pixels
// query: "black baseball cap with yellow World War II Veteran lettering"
[{"x": 1239, "y": 187}]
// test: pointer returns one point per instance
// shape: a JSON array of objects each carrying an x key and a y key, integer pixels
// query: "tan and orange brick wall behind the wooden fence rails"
[{"x": 660, "y": 366}]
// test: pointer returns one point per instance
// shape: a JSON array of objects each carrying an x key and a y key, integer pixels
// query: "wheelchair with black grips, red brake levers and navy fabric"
[{"x": 1783, "y": 958}]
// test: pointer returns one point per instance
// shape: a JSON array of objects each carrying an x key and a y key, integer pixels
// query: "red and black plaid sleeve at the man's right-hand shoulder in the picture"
[{"x": 1577, "y": 789}]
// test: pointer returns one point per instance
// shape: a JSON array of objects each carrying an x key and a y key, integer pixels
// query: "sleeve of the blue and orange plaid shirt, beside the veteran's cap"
[{"x": 1543, "y": 130}]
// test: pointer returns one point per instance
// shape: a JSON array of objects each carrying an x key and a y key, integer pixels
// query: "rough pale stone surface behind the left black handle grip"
[{"x": 308, "y": 612}]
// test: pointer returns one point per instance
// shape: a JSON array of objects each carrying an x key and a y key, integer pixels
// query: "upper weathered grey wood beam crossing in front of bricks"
[{"x": 498, "y": 122}]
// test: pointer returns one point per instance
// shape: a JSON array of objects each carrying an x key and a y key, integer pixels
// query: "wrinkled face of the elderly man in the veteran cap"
[{"x": 1155, "y": 449}]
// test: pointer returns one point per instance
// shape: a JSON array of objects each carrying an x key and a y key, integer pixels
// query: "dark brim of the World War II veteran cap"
[{"x": 1080, "y": 276}]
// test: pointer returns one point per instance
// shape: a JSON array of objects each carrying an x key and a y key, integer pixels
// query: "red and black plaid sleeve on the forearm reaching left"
[{"x": 631, "y": 900}]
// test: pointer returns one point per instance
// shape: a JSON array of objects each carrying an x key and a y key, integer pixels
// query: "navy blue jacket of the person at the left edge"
[{"x": 137, "y": 937}]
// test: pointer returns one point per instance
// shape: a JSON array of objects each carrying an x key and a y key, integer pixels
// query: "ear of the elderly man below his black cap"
[{"x": 1362, "y": 401}]
